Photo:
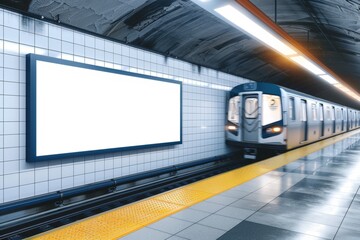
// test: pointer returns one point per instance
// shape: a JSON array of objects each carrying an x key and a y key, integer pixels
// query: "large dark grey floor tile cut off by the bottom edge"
[{"x": 254, "y": 231}]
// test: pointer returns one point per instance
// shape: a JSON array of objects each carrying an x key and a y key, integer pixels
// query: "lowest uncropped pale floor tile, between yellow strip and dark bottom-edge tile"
[{"x": 170, "y": 225}]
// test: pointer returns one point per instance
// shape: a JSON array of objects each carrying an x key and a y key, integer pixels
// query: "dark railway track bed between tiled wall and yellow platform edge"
[{"x": 56, "y": 214}]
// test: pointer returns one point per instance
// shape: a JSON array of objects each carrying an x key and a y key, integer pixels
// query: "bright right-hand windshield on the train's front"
[{"x": 271, "y": 109}]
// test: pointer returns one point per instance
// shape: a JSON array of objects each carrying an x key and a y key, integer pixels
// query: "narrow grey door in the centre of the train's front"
[{"x": 250, "y": 116}]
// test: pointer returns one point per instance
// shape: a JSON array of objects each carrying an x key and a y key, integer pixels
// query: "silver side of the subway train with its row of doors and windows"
[{"x": 310, "y": 120}]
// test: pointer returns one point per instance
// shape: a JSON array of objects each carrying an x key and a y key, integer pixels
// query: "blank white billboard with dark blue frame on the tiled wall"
[{"x": 82, "y": 109}]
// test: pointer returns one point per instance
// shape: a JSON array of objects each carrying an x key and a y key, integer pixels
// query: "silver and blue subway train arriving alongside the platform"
[{"x": 268, "y": 116}]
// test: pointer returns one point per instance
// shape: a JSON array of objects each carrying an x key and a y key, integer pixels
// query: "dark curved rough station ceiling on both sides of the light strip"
[{"x": 329, "y": 29}]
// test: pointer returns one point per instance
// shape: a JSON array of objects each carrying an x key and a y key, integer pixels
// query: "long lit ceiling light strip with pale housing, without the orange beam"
[{"x": 247, "y": 21}]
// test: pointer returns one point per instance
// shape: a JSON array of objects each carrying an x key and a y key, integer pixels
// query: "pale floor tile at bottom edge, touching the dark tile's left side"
[{"x": 200, "y": 232}]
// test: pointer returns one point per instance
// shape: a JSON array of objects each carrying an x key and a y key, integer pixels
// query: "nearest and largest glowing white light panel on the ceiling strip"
[{"x": 248, "y": 25}]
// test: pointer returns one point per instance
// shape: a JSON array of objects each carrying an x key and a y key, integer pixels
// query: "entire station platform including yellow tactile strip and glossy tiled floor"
[{"x": 307, "y": 193}]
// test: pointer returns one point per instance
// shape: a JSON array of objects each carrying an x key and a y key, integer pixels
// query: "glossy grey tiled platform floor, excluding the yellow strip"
[{"x": 315, "y": 197}]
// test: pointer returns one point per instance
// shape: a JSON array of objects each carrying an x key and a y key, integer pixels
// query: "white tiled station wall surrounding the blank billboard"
[{"x": 204, "y": 97}]
